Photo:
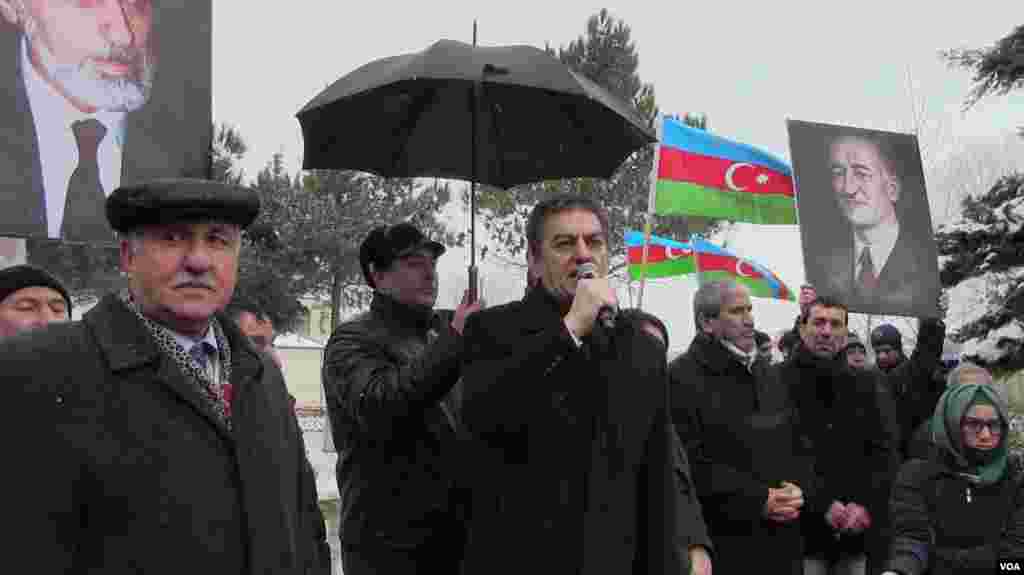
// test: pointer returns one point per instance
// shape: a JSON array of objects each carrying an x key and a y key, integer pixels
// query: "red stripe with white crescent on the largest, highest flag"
[{"x": 682, "y": 166}]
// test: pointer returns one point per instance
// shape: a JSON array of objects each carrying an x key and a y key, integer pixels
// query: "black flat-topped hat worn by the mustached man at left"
[{"x": 181, "y": 200}]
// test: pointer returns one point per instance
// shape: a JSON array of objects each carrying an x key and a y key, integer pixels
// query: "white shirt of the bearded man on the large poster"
[{"x": 54, "y": 117}]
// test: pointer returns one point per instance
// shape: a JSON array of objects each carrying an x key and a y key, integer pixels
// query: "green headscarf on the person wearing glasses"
[{"x": 947, "y": 430}]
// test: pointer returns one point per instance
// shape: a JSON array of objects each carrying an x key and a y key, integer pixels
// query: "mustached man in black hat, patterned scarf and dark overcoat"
[{"x": 160, "y": 440}]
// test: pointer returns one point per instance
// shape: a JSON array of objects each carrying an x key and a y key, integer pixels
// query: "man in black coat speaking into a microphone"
[{"x": 573, "y": 462}]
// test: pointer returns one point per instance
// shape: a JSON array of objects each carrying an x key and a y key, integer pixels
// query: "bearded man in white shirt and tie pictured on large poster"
[{"x": 76, "y": 70}]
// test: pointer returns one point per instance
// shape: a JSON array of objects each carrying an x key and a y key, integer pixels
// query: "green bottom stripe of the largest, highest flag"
[{"x": 687, "y": 199}]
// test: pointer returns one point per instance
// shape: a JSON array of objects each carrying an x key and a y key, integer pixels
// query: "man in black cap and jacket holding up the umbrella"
[{"x": 387, "y": 376}]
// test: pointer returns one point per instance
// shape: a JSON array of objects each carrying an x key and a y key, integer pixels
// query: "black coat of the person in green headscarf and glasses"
[{"x": 935, "y": 527}]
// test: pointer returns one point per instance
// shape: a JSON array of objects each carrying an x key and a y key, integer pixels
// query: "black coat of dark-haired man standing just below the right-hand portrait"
[{"x": 843, "y": 432}]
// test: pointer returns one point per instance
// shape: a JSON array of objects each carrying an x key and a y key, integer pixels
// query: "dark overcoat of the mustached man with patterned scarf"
[{"x": 124, "y": 469}]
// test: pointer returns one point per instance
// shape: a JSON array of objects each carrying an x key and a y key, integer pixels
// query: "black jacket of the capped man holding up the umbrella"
[{"x": 396, "y": 441}]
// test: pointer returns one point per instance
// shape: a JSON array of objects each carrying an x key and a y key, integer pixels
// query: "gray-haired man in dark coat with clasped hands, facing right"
[{"x": 734, "y": 417}]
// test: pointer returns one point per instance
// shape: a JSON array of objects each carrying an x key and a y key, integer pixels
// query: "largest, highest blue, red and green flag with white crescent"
[{"x": 700, "y": 174}]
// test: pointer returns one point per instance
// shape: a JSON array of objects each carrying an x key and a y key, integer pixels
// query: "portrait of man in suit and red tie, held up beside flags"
[{"x": 865, "y": 219}]
